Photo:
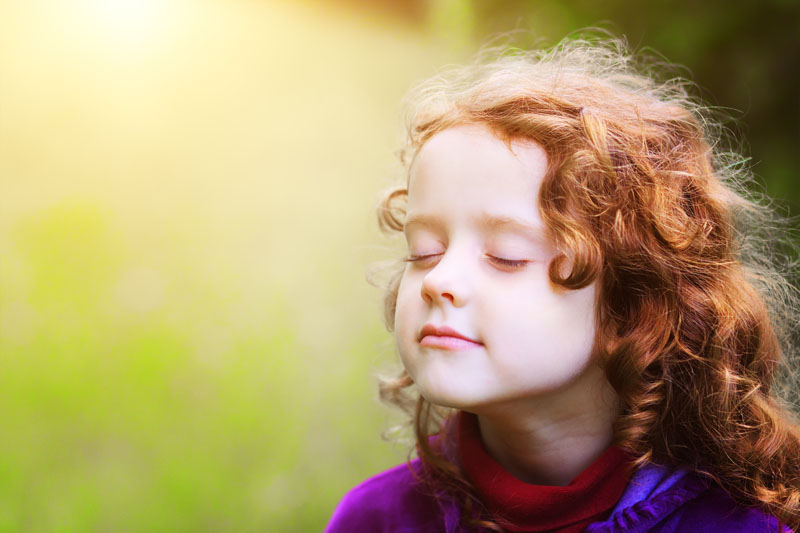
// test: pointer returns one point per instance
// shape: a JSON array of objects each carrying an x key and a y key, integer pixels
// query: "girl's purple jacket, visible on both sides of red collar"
[{"x": 656, "y": 499}]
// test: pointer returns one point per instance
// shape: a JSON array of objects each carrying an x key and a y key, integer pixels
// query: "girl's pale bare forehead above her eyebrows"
[{"x": 469, "y": 171}]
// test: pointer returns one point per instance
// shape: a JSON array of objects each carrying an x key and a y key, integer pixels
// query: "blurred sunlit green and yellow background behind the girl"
[{"x": 187, "y": 339}]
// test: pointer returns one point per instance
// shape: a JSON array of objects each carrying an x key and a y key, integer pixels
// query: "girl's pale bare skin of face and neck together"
[{"x": 478, "y": 258}]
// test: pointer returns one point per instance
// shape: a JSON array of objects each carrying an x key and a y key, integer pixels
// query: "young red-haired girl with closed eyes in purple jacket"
[{"x": 591, "y": 320}]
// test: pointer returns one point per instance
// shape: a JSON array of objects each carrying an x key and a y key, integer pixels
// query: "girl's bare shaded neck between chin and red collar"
[{"x": 550, "y": 439}]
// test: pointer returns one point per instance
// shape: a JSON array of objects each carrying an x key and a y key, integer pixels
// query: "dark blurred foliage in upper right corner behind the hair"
[{"x": 743, "y": 56}]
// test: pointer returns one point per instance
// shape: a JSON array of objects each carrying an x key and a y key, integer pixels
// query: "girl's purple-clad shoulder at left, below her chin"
[{"x": 393, "y": 501}]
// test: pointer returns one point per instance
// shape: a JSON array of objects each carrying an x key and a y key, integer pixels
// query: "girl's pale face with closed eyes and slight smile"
[{"x": 478, "y": 321}]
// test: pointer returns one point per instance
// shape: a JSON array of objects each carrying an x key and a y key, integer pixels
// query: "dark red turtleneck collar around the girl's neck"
[{"x": 519, "y": 506}]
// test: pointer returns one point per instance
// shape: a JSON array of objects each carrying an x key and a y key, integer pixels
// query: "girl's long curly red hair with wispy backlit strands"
[{"x": 697, "y": 304}]
